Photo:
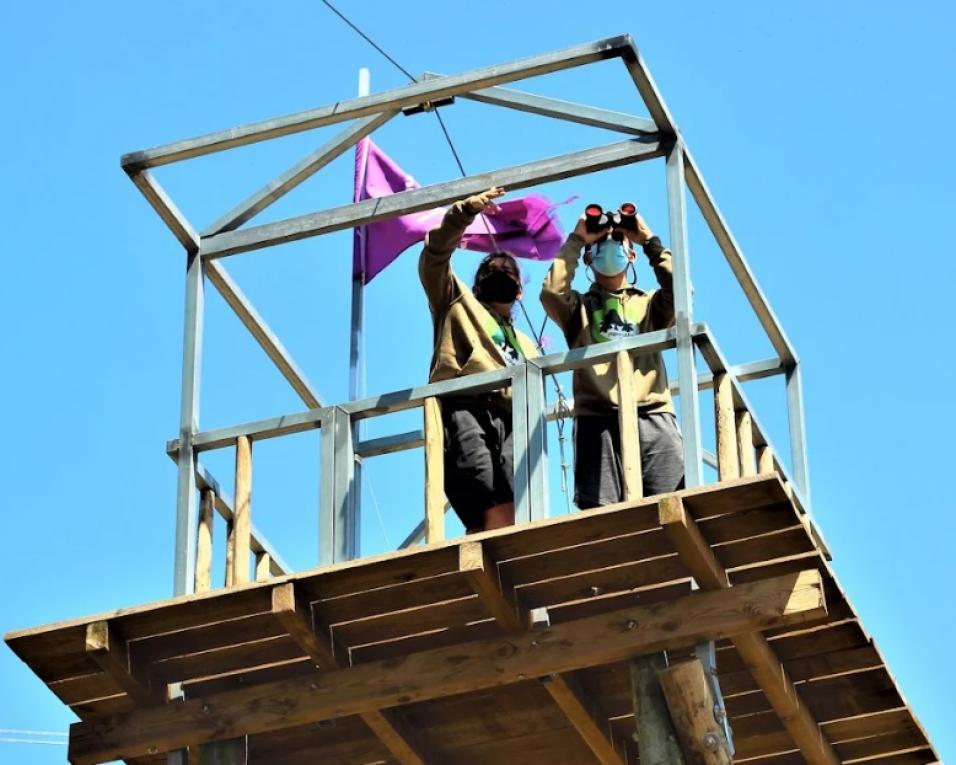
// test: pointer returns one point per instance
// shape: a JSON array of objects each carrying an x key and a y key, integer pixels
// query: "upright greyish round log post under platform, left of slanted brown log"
[{"x": 656, "y": 740}]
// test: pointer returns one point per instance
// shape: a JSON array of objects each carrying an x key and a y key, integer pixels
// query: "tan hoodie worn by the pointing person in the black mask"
[{"x": 468, "y": 337}]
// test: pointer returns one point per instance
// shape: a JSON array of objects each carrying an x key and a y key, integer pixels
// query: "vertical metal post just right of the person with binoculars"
[{"x": 683, "y": 309}]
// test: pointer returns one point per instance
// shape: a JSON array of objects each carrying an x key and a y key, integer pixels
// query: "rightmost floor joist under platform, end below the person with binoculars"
[{"x": 753, "y": 648}]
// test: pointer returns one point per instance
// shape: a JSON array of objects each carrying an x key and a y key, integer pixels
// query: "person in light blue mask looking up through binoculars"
[{"x": 611, "y": 309}]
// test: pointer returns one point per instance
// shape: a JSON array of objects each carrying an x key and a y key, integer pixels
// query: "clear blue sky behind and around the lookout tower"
[{"x": 820, "y": 128}]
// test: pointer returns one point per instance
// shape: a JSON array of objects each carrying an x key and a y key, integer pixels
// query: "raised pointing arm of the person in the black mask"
[{"x": 434, "y": 265}]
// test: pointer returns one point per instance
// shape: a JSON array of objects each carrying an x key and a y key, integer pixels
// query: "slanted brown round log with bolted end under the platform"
[{"x": 691, "y": 704}]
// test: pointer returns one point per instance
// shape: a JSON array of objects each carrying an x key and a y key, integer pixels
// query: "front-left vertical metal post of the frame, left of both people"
[{"x": 187, "y": 506}]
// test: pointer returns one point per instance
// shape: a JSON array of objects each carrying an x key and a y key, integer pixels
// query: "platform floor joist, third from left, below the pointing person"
[{"x": 500, "y": 600}]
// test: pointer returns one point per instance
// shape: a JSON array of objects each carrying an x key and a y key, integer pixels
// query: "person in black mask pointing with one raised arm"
[{"x": 474, "y": 332}]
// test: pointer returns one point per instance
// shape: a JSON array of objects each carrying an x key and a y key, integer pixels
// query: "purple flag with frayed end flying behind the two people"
[{"x": 525, "y": 227}]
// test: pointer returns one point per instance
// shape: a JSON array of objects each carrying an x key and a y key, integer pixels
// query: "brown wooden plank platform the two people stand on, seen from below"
[{"x": 429, "y": 655}]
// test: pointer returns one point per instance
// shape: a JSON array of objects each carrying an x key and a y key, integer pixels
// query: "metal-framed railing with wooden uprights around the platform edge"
[{"x": 743, "y": 447}]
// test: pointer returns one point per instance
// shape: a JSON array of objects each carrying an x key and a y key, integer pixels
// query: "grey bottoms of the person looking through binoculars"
[{"x": 597, "y": 457}]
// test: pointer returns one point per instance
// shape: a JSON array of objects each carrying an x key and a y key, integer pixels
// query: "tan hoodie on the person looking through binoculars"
[{"x": 582, "y": 318}]
